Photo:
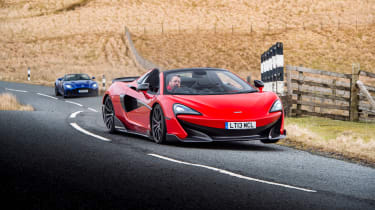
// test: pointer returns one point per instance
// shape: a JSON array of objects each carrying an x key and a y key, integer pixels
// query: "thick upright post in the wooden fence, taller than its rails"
[{"x": 354, "y": 90}]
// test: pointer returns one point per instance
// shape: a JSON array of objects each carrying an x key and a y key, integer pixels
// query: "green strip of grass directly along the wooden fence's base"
[{"x": 329, "y": 129}]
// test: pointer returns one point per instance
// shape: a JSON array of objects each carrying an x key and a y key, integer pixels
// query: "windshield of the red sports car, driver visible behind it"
[{"x": 204, "y": 82}]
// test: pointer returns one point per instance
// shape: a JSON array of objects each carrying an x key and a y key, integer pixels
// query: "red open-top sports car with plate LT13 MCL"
[{"x": 193, "y": 105}]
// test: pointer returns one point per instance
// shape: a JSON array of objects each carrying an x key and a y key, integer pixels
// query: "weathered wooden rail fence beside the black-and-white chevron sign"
[{"x": 328, "y": 94}]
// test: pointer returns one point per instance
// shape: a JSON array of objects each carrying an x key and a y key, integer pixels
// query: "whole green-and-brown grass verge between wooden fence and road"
[{"x": 354, "y": 141}]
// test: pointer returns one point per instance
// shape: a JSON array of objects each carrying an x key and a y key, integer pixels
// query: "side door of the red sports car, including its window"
[{"x": 138, "y": 103}]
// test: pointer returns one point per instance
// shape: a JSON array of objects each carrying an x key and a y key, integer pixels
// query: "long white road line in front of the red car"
[{"x": 232, "y": 174}]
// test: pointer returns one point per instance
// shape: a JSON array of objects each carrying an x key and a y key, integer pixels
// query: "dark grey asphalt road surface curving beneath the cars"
[{"x": 60, "y": 156}]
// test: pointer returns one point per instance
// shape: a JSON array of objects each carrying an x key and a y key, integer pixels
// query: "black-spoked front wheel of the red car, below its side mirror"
[{"x": 158, "y": 127}]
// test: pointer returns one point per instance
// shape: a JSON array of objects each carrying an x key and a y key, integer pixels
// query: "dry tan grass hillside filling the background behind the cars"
[{"x": 54, "y": 37}]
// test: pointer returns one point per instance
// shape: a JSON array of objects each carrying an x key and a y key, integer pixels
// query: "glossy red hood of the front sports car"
[{"x": 247, "y": 105}]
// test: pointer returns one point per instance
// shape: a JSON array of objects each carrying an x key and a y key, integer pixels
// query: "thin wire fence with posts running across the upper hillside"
[{"x": 176, "y": 27}]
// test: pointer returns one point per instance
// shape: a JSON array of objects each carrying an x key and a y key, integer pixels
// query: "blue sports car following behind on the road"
[{"x": 76, "y": 85}]
